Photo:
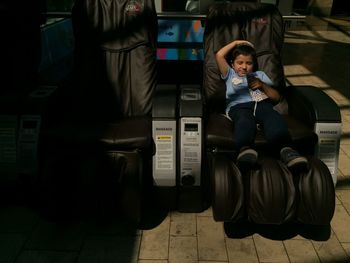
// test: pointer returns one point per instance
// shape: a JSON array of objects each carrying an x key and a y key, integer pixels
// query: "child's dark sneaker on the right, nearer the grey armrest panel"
[{"x": 293, "y": 160}]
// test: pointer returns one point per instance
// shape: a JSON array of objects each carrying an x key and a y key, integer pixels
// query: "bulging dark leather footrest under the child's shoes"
[{"x": 269, "y": 194}]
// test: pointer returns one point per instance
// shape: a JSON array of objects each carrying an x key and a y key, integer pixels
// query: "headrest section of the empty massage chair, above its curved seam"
[{"x": 116, "y": 25}]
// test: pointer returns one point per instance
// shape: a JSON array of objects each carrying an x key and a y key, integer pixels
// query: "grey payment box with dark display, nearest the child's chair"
[{"x": 190, "y": 148}]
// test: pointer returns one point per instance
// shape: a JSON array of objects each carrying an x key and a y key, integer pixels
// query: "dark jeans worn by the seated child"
[{"x": 245, "y": 123}]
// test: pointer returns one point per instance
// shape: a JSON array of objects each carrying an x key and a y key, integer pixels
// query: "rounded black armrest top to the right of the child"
[{"x": 311, "y": 105}]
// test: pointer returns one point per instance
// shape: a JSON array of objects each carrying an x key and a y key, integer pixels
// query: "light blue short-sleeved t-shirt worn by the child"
[{"x": 237, "y": 90}]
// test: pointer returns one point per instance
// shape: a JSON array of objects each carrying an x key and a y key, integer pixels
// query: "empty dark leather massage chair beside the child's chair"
[{"x": 98, "y": 157}]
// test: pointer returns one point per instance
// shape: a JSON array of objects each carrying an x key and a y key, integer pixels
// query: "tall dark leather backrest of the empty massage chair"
[{"x": 115, "y": 57}]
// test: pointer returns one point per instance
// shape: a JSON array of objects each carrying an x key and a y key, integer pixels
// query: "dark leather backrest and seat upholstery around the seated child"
[{"x": 263, "y": 25}]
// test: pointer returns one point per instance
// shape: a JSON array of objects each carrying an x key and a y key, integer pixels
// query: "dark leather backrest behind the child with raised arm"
[{"x": 261, "y": 24}]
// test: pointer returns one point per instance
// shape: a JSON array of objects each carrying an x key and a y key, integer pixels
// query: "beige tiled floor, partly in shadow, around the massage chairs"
[{"x": 316, "y": 53}]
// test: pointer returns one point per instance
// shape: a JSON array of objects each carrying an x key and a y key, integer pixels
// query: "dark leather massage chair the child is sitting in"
[{"x": 269, "y": 193}]
